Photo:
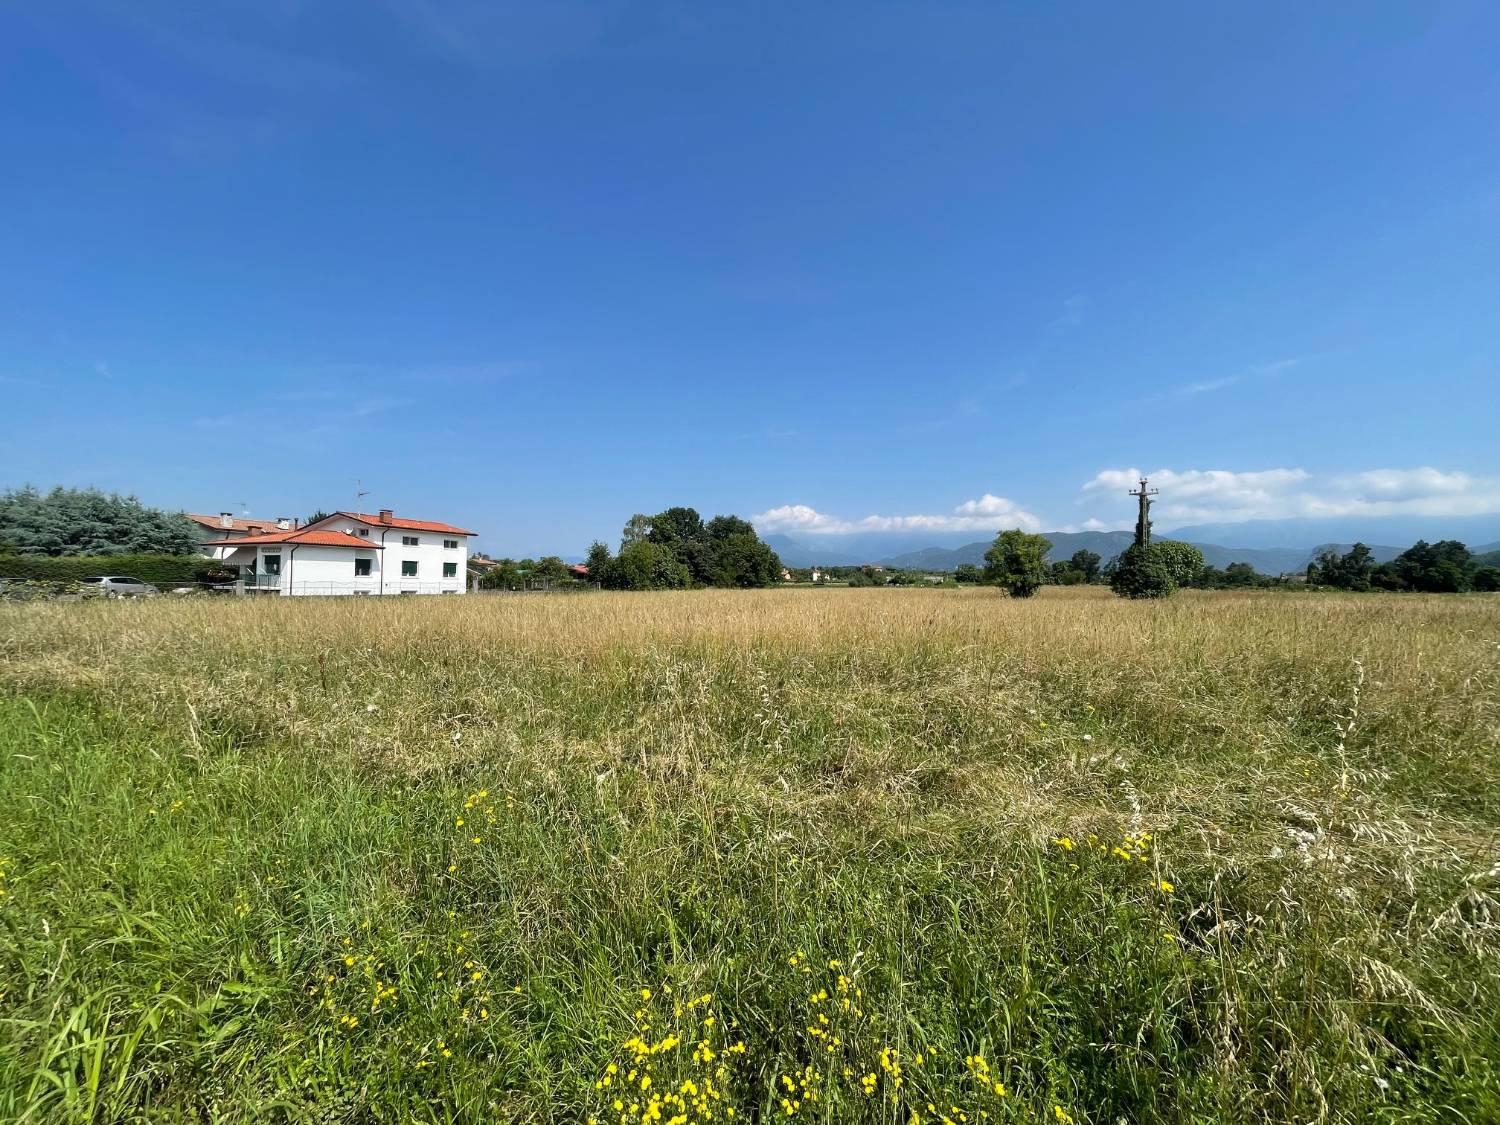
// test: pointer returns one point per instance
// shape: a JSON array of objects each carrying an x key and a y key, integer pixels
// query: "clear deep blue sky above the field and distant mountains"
[{"x": 845, "y": 268}]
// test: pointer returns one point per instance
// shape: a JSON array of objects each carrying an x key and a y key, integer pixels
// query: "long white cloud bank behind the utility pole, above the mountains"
[{"x": 1220, "y": 496}]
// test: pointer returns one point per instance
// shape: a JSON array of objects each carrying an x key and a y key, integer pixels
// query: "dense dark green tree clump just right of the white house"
[{"x": 676, "y": 550}]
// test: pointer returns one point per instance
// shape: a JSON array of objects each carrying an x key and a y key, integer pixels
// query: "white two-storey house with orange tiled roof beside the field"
[{"x": 353, "y": 553}]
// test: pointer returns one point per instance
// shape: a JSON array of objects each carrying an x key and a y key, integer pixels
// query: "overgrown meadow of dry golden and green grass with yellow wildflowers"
[{"x": 790, "y": 856}]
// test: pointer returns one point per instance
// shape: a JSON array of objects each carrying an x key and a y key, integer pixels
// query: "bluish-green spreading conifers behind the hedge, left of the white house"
[{"x": 91, "y": 523}]
